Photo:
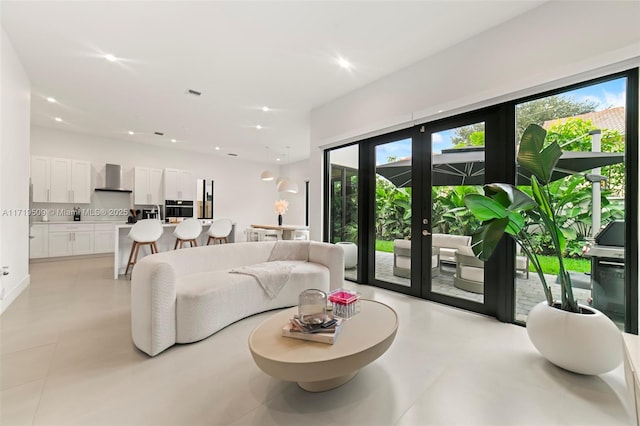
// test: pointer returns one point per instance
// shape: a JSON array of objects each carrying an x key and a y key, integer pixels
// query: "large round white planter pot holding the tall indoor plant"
[{"x": 582, "y": 343}]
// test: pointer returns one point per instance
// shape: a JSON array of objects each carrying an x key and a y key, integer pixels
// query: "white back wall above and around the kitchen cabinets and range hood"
[{"x": 239, "y": 194}]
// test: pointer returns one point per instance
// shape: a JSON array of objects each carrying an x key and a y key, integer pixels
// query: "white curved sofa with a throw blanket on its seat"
[{"x": 183, "y": 296}]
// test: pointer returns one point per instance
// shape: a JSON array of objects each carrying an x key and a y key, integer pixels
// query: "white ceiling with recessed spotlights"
[{"x": 240, "y": 55}]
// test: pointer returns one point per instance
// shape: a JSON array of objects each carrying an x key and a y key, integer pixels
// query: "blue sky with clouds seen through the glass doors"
[{"x": 607, "y": 95}]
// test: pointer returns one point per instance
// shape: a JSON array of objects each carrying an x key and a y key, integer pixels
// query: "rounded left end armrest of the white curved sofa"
[{"x": 153, "y": 305}]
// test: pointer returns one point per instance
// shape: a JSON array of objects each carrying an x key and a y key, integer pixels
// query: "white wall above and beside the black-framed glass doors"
[{"x": 571, "y": 41}]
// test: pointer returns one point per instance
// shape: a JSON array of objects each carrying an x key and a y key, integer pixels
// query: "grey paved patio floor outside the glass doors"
[{"x": 528, "y": 291}]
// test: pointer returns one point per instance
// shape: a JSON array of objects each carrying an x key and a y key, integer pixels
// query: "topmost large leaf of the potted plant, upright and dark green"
[{"x": 535, "y": 157}]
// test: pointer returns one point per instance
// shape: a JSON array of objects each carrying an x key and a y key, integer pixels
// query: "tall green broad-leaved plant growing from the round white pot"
[{"x": 506, "y": 209}]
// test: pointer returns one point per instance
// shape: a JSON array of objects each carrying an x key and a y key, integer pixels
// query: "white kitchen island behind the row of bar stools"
[{"x": 165, "y": 243}]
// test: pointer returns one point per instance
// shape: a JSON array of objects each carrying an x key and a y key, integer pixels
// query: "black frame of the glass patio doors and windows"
[{"x": 500, "y": 167}]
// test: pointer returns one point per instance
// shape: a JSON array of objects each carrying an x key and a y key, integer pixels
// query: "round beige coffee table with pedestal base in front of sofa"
[{"x": 317, "y": 366}]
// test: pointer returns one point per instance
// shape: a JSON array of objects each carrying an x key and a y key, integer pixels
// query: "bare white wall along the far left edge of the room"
[{"x": 15, "y": 105}]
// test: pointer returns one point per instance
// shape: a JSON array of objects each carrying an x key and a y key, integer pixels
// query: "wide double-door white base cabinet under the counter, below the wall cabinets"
[{"x": 70, "y": 239}]
